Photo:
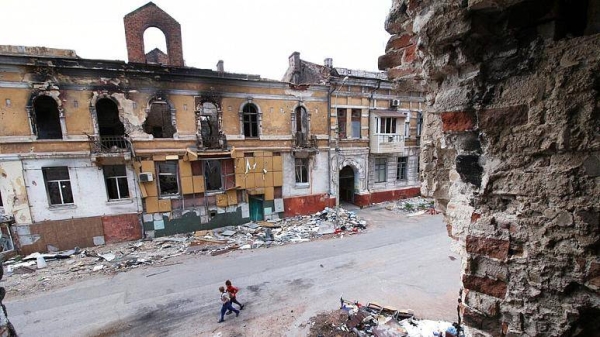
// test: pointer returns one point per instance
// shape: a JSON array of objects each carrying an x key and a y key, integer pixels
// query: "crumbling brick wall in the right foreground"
[{"x": 511, "y": 152}]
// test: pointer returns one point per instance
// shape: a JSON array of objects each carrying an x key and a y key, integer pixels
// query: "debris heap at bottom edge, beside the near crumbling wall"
[{"x": 354, "y": 319}]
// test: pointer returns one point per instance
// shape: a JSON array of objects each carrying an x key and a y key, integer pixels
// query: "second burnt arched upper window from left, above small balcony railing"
[{"x": 111, "y": 129}]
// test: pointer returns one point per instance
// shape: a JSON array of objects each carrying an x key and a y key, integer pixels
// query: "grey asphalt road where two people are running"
[{"x": 399, "y": 261}]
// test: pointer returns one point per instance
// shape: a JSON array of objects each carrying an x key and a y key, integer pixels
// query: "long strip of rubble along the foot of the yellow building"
[{"x": 40, "y": 272}]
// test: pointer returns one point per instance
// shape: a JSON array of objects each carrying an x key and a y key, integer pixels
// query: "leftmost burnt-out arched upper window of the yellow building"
[{"x": 47, "y": 118}]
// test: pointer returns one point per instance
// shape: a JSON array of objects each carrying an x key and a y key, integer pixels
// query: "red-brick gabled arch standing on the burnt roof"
[{"x": 145, "y": 17}]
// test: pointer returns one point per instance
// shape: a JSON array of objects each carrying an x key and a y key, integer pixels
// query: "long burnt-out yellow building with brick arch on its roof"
[{"x": 95, "y": 151}]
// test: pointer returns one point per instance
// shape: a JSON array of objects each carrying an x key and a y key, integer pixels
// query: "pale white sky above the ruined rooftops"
[{"x": 250, "y": 36}]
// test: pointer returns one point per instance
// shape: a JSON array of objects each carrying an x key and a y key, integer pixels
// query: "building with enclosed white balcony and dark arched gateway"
[{"x": 374, "y": 132}]
